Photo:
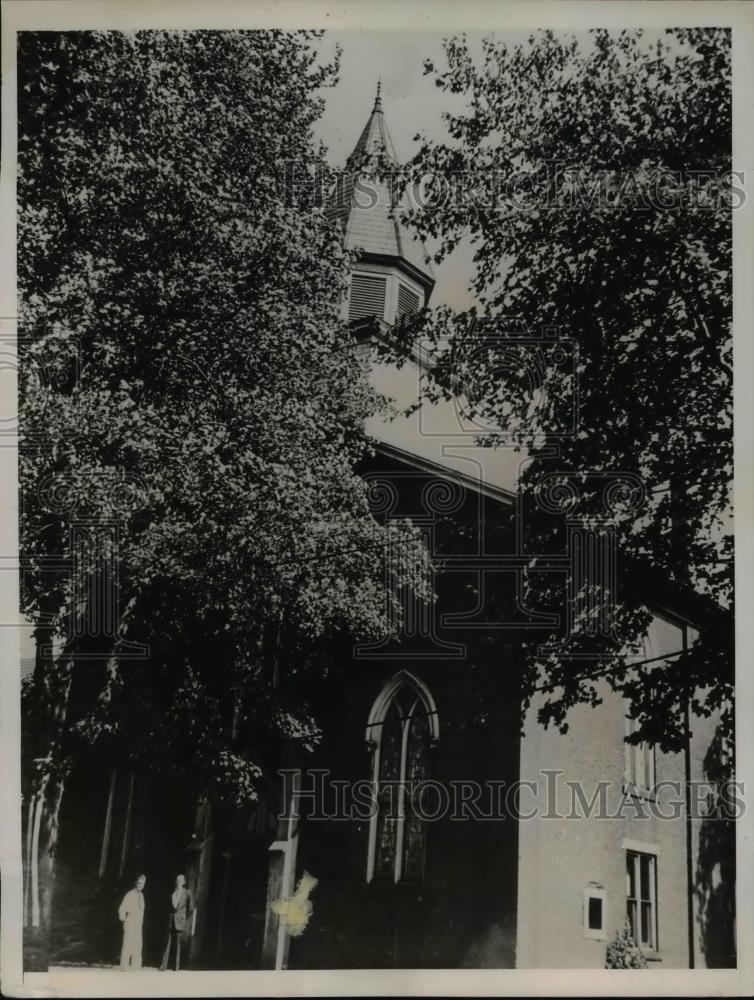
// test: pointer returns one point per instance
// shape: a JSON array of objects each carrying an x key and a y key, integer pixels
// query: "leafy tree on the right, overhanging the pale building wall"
[{"x": 592, "y": 175}]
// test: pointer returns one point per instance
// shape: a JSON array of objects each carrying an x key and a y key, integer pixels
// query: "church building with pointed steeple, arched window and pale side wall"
[{"x": 443, "y": 829}]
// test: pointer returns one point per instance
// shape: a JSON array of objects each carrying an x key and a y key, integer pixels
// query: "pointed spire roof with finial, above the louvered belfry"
[{"x": 365, "y": 210}]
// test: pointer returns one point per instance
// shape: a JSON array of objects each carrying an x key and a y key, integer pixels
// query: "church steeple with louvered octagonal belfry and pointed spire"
[{"x": 392, "y": 275}]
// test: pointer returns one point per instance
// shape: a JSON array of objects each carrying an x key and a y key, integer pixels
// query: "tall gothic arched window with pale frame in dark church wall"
[{"x": 401, "y": 729}]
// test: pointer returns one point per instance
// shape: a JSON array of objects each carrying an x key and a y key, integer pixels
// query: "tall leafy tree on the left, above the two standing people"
[{"x": 186, "y": 377}]
